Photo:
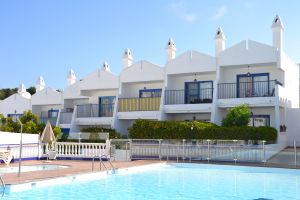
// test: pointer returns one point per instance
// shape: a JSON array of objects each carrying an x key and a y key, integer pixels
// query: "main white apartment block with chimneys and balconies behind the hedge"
[{"x": 190, "y": 86}]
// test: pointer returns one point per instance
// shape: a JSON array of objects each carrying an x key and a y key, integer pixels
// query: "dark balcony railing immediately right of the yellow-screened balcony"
[{"x": 204, "y": 95}]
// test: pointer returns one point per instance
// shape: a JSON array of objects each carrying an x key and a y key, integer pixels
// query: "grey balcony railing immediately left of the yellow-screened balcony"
[{"x": 95, "y": 110}]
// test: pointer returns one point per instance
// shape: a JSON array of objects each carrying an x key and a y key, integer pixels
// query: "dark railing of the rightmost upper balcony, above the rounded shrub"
[{"x": 247, "y": 89}]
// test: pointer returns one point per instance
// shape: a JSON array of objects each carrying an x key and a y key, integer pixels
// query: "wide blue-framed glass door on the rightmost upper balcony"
[{"x": 253, "y": 85}]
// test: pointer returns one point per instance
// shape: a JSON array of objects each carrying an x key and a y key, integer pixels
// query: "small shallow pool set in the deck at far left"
[{"x": 28, "y": 168}]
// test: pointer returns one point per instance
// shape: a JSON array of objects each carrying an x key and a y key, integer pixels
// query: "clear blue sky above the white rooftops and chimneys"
[{"x": 49, "y": 37}]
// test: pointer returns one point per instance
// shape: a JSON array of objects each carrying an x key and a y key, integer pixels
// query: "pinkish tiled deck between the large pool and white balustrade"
[{"x": 75, "y": 167}]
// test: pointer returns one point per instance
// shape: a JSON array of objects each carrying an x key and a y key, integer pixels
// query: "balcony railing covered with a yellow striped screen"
[{"x": 139, "y": 104}]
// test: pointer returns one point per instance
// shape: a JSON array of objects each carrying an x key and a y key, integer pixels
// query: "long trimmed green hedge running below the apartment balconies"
[{"x": 146, "y": 129}]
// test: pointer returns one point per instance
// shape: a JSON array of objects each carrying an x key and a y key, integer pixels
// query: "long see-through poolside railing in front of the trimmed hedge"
[{"x": 197, "y": 150}]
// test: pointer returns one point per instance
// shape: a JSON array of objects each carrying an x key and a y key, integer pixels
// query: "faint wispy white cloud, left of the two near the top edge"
[{"x": 180, "y": 10}]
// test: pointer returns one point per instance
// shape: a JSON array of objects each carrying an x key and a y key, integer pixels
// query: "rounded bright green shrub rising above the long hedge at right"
[{"x": 237, "y": 116}]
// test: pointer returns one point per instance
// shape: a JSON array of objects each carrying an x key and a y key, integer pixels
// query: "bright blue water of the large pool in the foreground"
[{"x": 175, "y": 181}]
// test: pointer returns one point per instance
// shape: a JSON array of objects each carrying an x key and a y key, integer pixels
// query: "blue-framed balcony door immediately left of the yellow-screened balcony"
[{"x": 106, "y": 106}]
